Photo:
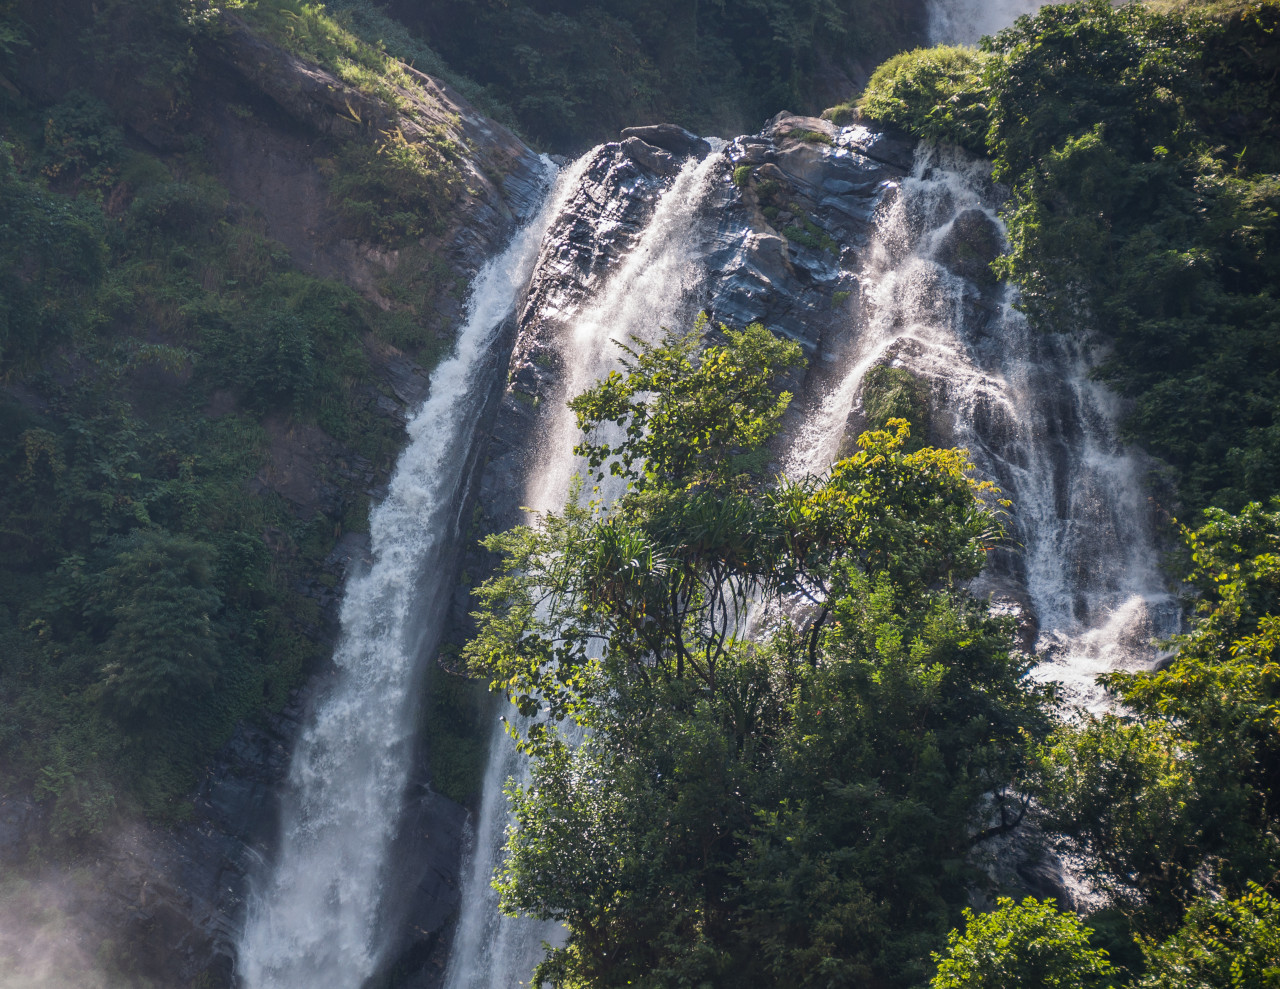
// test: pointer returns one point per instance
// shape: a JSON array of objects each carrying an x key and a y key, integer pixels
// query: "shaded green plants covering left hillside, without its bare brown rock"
[{"x": 154, "y": 346}]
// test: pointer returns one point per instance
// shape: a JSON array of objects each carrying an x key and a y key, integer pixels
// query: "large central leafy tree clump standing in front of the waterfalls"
[{"x": 796, "y": 812}]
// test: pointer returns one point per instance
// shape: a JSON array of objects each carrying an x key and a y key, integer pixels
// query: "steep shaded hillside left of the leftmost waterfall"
[{"x": 232, "y": 248}]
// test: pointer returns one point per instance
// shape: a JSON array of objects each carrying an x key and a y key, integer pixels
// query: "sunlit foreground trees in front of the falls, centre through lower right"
[{"x": 726, "y": 795}]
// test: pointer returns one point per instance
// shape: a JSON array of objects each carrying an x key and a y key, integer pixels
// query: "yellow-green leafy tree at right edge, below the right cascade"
[{"x": 1186, "y": 794}]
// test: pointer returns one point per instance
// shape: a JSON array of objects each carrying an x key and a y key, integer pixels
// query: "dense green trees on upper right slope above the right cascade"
[{"x": 1142, "y": 146}]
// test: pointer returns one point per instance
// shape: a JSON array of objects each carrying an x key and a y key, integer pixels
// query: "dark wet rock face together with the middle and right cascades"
[{"x": 866, "y": 253}]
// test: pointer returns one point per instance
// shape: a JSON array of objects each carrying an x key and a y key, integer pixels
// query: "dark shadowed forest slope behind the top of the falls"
[{"x": 574, "y": 72}]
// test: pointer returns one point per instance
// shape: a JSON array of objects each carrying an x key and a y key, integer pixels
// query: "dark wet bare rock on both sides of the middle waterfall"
[{"x": 790, "y": 214}]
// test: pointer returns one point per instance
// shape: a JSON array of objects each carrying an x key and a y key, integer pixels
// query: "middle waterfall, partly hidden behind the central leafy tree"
[{"x": 653, "y": 287}]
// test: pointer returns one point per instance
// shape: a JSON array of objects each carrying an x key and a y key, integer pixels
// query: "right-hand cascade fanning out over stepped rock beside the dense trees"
[{"x": 1034, "y": 420}]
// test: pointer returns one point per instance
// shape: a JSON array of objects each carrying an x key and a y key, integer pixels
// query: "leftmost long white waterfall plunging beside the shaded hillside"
[{"x": 314, "y": 921}]
